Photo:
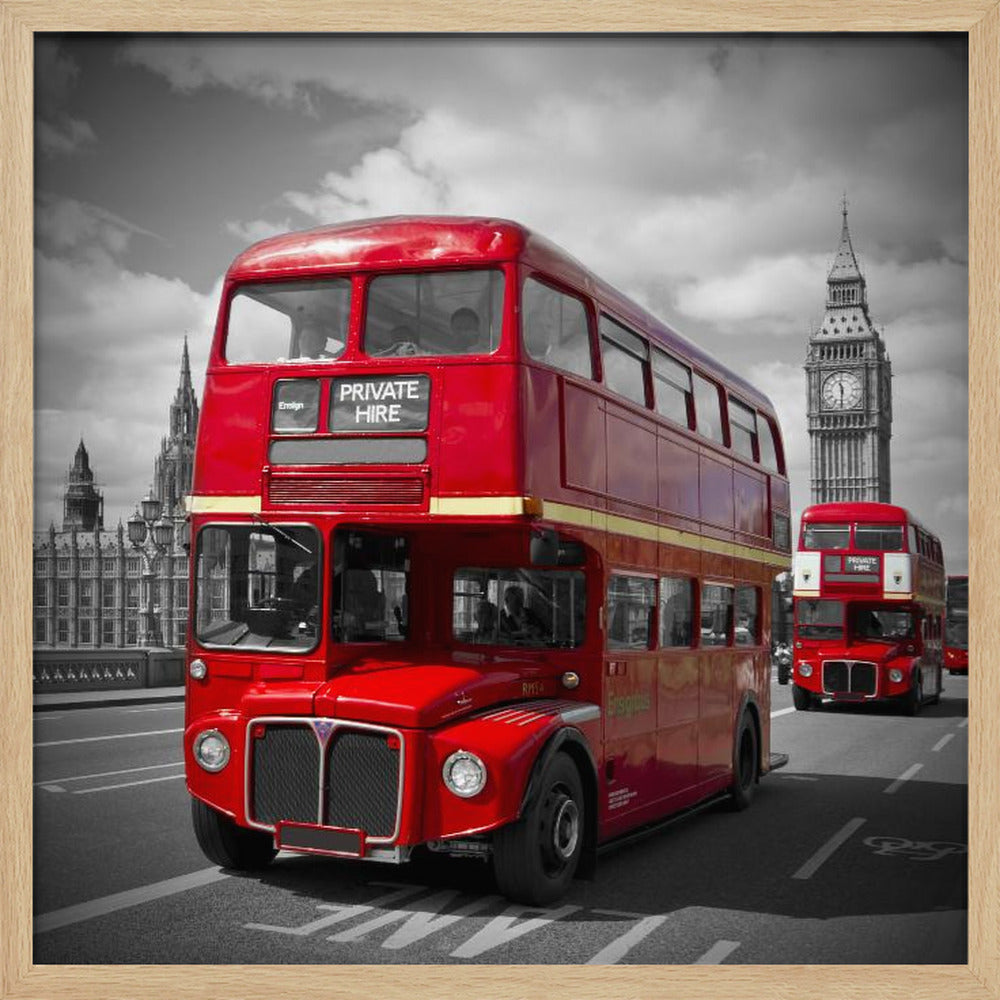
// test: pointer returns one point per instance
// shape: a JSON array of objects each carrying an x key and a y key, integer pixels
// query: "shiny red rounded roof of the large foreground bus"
[{"x": 403, "y": 241}]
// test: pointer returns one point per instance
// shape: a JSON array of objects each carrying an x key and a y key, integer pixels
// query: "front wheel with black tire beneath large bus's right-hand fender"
[{"x": 534, "y": 859}]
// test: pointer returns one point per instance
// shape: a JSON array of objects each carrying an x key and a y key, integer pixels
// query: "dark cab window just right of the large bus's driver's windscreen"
[{"x": 370, "y": 601}]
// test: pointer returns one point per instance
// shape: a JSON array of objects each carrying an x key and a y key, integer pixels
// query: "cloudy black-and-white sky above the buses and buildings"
[{"x": 701, "y": 175}]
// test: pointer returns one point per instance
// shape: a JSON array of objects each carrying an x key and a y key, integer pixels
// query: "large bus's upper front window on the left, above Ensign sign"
[{"x": 288, "y": 321}]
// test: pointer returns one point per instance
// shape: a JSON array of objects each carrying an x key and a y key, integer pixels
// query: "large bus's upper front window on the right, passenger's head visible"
[{"x": 439, "y": 313}]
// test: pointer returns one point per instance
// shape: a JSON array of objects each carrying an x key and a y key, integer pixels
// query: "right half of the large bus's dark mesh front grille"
[{"x": 362, "y": 790}]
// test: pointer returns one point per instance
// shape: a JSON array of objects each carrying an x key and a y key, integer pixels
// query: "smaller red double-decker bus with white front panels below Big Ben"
[{"x": 869, "y": 607}]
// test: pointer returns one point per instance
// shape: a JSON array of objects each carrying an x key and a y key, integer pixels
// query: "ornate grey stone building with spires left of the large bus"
[{"x": 88, "y": 581}]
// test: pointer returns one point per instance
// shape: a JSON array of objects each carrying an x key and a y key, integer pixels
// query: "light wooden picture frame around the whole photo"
[{"x": 20, "y": 20}]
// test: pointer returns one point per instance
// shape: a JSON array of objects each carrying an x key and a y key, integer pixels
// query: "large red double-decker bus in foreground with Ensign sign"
[{"x": 482, "y": 558}]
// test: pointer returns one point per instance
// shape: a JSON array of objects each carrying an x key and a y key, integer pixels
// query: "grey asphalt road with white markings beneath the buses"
[{"x": 854, "y": 853}]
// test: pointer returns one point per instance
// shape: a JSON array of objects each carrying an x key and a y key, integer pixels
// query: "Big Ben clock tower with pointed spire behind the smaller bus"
[{"x": 849, "y": 380}]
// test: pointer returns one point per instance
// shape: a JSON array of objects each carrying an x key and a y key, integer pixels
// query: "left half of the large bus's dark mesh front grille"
[{"x": 285, "y": 775}]
